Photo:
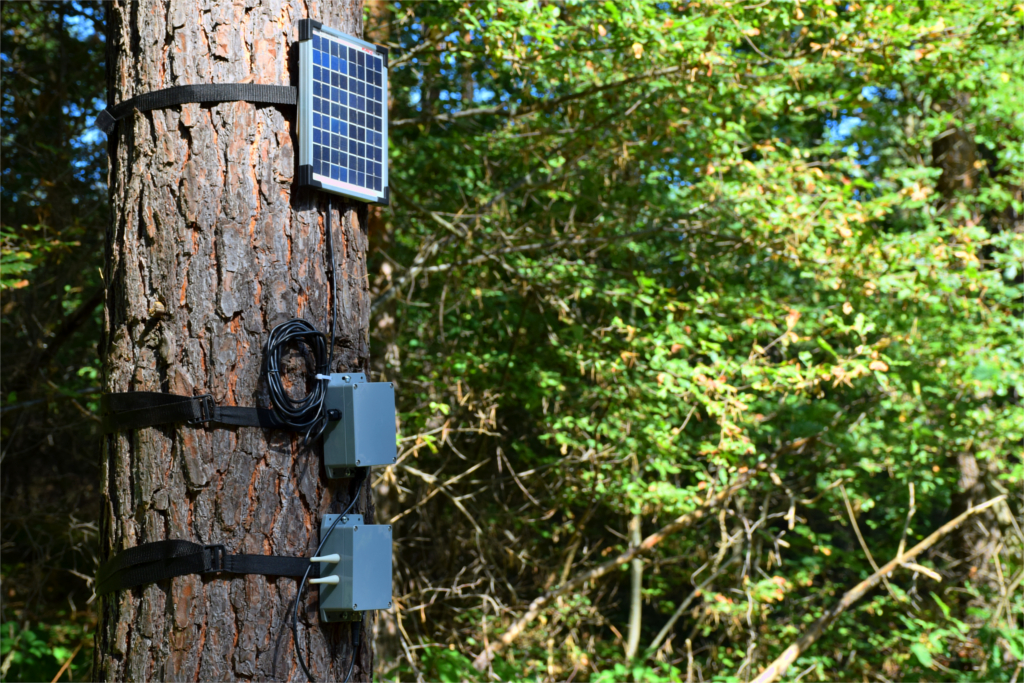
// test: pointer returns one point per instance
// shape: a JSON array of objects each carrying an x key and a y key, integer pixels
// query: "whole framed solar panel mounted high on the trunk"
[{"x": 343, "y": 114}]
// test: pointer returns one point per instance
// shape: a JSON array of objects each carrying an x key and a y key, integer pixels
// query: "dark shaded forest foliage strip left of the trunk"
[{"x": 53, "y": 223}]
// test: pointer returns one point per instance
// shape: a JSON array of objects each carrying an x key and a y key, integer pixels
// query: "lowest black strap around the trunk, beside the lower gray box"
[{"x": 165, "y": 560}]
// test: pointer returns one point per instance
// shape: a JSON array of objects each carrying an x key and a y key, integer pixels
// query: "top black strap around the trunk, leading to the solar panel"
[{"x": 207, "y": 93}]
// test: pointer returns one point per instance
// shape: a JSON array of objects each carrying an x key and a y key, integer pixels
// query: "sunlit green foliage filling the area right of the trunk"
[{"x": 638, "y": 249}]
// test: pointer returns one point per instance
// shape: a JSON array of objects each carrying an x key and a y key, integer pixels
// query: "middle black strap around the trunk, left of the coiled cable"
[{"x": 135, "y": 410}]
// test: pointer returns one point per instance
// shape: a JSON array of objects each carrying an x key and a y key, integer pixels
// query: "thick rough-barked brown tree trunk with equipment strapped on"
[{"x": 209, "y": 248}]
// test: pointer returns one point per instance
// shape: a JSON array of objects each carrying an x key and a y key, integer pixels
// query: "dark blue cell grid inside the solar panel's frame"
[{"x": 348, "y": 108}]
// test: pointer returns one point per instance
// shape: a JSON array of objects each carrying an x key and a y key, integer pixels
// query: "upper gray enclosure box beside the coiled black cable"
[{"x": 366, "y": 434}]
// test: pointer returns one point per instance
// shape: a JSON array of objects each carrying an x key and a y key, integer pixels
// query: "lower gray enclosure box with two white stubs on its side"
[{"x": 364, "y": 573}]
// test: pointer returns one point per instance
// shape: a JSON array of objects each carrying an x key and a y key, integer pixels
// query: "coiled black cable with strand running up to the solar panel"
[{"x": 308, "y": 414}]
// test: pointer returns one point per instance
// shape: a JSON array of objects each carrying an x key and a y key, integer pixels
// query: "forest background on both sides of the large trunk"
[{"x": 757, "y": 266}]
